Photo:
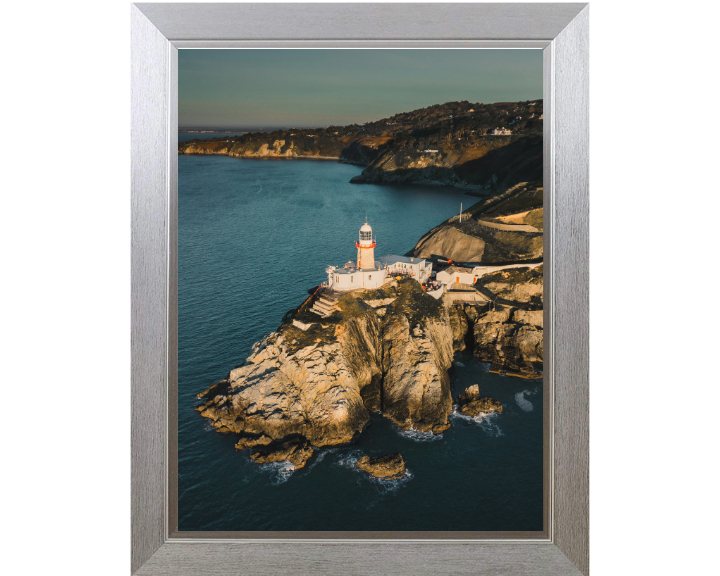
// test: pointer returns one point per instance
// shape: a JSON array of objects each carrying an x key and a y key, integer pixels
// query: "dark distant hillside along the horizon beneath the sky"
[{"x": 452, "y": 144}]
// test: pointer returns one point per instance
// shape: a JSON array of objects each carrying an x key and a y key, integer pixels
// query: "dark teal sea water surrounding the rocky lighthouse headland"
[{"x": 254, "y": 236}]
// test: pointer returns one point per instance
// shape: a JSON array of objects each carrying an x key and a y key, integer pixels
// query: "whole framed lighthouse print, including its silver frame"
[{"x": 360, "y": 288}]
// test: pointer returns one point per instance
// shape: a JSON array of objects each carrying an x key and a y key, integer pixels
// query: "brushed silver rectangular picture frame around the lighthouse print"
[{"x": 157, "y": 32}]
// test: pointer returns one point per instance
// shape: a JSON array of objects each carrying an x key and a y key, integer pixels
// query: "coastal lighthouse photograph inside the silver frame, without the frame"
[{"x": 360, "y": 290}]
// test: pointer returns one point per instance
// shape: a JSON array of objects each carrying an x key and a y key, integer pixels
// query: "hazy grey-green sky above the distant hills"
[{"x": 248, "y": 88}]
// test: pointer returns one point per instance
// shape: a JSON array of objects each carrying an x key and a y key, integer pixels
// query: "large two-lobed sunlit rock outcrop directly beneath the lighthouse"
[{"x": 320, "y": 384}]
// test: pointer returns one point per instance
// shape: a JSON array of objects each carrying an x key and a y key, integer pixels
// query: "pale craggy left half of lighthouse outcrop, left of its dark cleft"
[{"x": 313, "y": 391}]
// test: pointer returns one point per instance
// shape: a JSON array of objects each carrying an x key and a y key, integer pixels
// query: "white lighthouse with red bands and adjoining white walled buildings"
[{"x": 366, "y": 272}]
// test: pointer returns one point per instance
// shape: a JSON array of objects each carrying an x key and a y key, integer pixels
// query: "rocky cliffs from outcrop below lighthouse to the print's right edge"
[{"x": 315, "y": 381}]
